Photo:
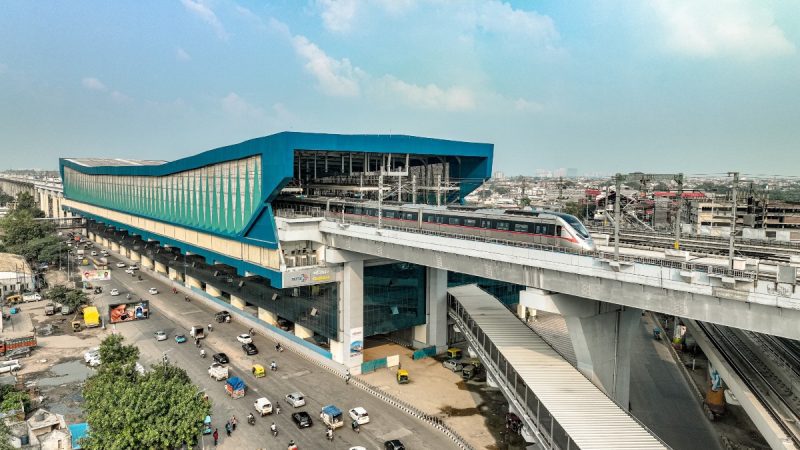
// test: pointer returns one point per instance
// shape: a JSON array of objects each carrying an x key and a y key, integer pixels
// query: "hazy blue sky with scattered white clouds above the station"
[{"x": 652, "y": 85}]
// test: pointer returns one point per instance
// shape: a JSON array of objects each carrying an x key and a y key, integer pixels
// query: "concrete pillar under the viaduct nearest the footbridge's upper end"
[{"x": 434, "y": 331}]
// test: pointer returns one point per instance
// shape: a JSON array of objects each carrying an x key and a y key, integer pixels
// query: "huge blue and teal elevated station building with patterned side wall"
[{"x": 217, "y": 223}]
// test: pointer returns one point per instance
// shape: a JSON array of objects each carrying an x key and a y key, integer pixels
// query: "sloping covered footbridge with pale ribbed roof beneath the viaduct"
[{"x": 558, "y": 405}]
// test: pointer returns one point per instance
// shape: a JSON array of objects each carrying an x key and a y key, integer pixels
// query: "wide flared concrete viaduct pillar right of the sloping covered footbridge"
[{"x": 601, "y": 337}]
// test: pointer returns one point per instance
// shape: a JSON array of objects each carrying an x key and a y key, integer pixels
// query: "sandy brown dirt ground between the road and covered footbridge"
[{"x": 473, "y": 409}]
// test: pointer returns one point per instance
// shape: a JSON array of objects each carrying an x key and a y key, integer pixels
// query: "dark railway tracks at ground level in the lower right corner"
[{"x": 770, "y": 388}]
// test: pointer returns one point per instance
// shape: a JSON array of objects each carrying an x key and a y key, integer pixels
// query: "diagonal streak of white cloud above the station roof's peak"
[{"x": 336, "y": 77}]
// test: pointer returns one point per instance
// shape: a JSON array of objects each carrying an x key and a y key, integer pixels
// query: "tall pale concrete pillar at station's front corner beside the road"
[{"x": 348, "y": 349}]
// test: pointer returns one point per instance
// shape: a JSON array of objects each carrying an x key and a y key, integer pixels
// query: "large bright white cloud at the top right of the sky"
[{"x": 737, "y": 28}]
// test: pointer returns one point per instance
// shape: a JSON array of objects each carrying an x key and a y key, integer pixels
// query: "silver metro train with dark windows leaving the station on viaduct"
[{"x": 537, "y": 227}]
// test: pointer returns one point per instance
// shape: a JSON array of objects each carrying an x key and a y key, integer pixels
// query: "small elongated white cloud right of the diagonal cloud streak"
[{"x": 430, "y": 96}]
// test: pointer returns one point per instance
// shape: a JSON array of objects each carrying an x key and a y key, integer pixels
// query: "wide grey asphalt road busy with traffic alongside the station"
[{"x": 169, "y": 312}]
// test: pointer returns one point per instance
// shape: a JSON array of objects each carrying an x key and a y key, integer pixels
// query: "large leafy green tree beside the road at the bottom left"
[{"x": 169, "y": 409}]
